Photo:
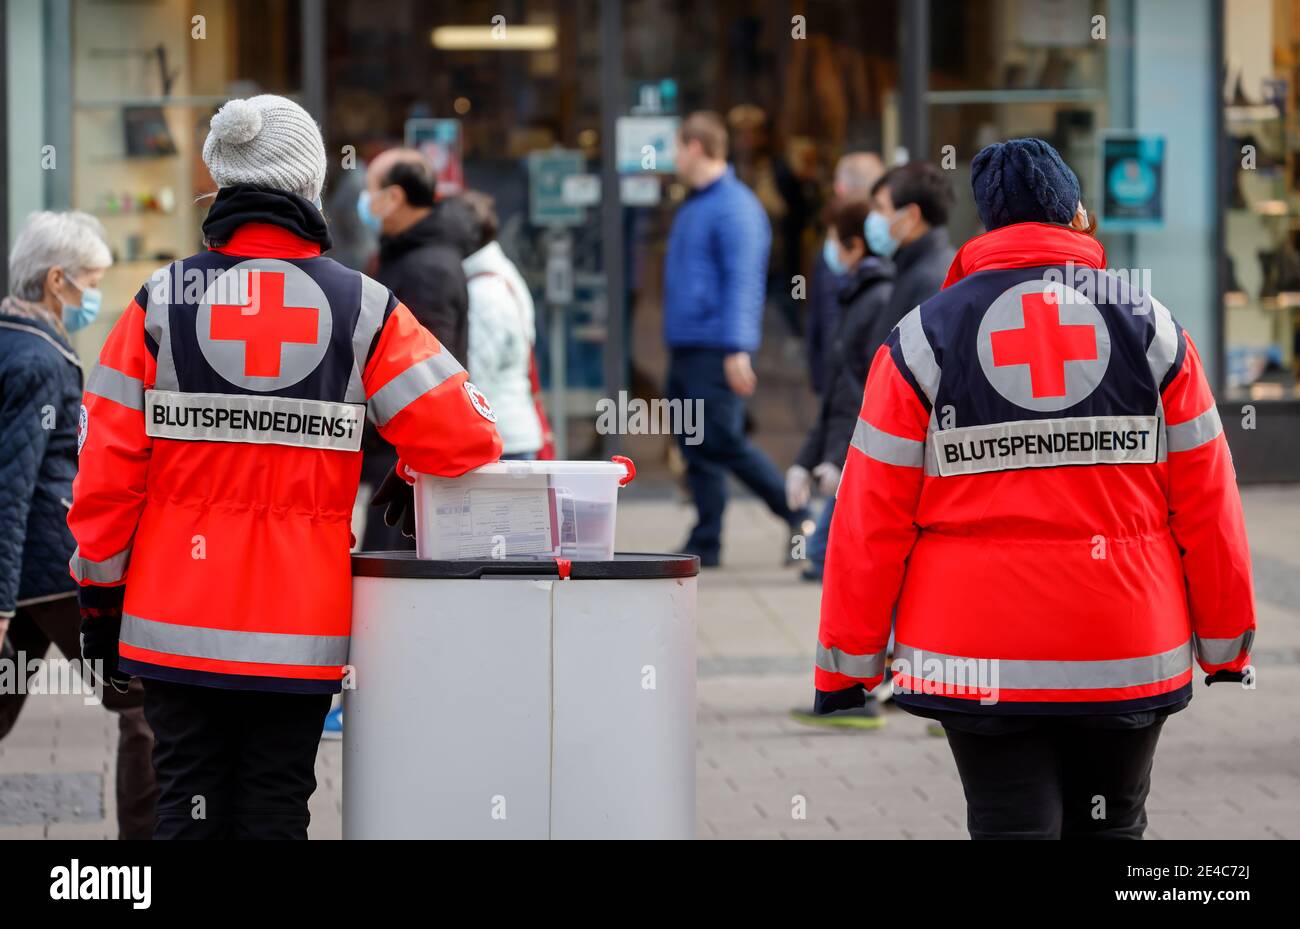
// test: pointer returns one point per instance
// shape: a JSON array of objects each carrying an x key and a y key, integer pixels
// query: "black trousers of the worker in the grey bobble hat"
[{"x": 233, "y": 763}]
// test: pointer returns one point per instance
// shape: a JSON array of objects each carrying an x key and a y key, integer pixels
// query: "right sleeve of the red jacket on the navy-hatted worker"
[{"x": 1206, "y": 516}]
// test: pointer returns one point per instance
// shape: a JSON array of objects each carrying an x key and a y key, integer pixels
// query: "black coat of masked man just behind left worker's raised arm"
[{"x": 422, "y": 267}]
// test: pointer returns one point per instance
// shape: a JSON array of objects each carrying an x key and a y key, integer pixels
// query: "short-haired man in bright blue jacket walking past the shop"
[{"x": 714, "y": 283}]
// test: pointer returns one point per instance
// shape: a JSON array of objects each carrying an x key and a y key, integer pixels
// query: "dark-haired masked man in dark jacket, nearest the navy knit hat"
[{"x": 908, "y": 225}]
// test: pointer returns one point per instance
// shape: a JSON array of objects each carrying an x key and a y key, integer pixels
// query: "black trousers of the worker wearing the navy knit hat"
[{"x": 1056, "y": 779}]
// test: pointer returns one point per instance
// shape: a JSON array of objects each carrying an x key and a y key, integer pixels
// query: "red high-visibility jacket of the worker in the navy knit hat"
[{"x": 1039, "y": 496}]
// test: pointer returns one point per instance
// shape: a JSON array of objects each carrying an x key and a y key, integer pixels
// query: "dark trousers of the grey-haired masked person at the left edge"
[{"x": 32, "y": 631}]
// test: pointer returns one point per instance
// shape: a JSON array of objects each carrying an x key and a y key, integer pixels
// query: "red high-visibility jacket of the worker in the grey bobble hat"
[{"x": 222, "y": 455}]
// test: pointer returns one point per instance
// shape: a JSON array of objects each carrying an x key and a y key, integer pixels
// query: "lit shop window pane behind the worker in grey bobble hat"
[{"x": 146, "y": 80}]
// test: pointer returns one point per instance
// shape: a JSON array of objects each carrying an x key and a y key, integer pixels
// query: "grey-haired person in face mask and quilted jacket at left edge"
[{"x": 57, "y": 267}]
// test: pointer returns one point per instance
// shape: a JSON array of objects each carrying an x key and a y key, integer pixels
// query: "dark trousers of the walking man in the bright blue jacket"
[{"x": 721, "y": 448}]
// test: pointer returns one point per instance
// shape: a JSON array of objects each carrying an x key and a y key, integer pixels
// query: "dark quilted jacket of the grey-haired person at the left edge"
[{"x": 41, "y": 390}]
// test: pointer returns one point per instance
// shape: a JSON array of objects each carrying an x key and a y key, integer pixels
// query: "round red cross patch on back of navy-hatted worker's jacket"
[{"x": 1043, "y": 346}]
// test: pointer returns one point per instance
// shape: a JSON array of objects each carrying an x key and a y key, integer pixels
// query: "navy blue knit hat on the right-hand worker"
[{"x": 1024, "y": 181}]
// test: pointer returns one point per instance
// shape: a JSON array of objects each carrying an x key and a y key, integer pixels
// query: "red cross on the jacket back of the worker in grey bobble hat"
[{"x": 266, "y": 324}]
